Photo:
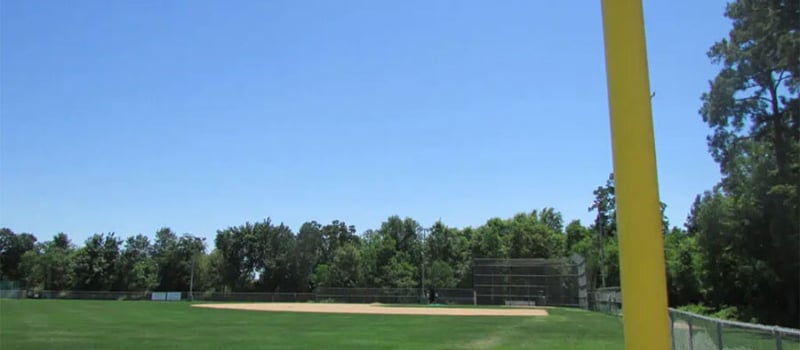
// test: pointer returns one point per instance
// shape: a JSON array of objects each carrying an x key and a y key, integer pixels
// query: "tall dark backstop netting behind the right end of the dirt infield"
[{"x": 541, "y": 282}]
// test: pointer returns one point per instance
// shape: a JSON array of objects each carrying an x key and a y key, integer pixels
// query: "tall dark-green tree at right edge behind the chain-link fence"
[{"x": 753, "y": 109}]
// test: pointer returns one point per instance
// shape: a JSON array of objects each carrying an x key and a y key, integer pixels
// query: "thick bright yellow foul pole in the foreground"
[{"x": 644, "y": 288}]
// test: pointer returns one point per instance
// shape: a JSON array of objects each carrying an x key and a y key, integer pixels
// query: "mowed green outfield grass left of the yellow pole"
[{"x": 67, "y": 325}]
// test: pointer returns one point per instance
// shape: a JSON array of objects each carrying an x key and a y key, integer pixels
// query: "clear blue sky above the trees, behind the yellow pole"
[{"x": 126, "y": 116}]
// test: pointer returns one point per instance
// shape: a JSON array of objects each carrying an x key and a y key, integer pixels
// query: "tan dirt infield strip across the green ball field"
[{"x": 373, "y": 309}]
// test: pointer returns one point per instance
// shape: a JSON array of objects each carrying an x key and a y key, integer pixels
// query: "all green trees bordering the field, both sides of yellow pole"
[{"x": 738, "y": 253}]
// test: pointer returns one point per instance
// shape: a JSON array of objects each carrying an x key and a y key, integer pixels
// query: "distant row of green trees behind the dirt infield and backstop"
[{"x": 269, "y": 257}]
